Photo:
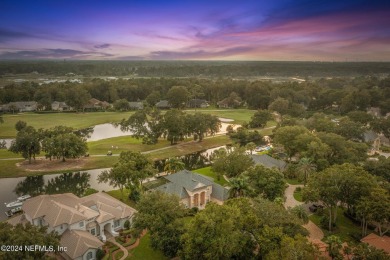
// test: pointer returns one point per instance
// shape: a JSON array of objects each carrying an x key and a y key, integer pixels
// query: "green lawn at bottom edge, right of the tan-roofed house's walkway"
[{"x": 144, "y": 251}]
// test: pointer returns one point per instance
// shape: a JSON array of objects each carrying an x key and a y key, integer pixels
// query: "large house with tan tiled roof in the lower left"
[{"x": 83, "y": 223}]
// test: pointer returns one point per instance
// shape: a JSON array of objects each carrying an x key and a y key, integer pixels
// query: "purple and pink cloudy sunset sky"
[{"x": 320, "y": 30}]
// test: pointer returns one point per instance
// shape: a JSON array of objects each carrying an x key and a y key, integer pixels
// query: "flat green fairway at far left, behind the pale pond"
[{"x": 75, "y": 120}]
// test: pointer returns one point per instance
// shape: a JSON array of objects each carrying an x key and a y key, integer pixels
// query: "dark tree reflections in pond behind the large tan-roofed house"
[{"x": 76, "y": 183}]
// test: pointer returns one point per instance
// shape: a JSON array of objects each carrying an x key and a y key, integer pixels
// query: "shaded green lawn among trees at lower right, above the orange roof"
[{"x": 345, "y": 228}]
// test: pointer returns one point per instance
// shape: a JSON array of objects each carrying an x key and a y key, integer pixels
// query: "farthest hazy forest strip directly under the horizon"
[{"x": 196, "y": 68}]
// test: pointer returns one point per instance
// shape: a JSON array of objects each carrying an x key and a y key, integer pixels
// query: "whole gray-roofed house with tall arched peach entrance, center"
[{"x": 194, "y": 190}]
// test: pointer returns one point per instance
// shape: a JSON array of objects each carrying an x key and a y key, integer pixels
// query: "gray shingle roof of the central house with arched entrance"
[{"x": 186, "y": 180}]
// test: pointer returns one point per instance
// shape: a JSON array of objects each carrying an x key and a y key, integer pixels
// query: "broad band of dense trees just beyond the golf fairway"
[{"x": 338, "y": 94}]
